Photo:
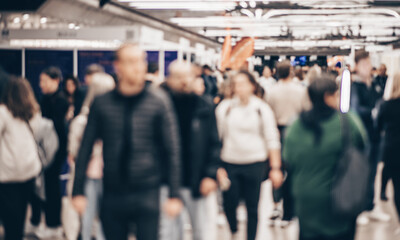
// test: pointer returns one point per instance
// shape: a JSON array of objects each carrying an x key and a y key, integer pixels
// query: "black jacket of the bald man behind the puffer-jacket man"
[{"x": 205, "y": 145}]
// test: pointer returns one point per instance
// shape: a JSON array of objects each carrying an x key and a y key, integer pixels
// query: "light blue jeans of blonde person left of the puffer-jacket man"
[{"x": 93, "y": 193}]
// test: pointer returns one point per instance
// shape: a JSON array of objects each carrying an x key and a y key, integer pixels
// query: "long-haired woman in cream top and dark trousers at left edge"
[{"x": 19, "y": 159}]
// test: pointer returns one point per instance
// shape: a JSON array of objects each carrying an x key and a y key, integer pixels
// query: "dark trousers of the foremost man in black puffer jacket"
[{"x": 142, "y": 208}]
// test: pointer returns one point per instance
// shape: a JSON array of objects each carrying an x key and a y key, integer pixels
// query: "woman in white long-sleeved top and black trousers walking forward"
[{"x": 249, "y": 134}]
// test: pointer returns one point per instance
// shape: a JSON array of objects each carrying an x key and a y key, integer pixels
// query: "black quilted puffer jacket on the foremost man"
[{"x": 153, "y": 131}]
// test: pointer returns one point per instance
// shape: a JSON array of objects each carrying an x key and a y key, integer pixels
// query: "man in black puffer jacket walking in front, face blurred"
[{"x": 136, "y": 124}]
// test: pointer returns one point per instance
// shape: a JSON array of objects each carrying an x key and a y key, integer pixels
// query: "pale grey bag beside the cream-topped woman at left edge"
[{"x": 46, "y": 140}]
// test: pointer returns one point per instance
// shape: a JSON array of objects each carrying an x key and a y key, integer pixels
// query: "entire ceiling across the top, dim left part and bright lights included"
[{"x": 278, "y": 26}]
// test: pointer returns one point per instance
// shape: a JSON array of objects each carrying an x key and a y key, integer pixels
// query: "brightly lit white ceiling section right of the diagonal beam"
[{"x": 295, "y": 24}]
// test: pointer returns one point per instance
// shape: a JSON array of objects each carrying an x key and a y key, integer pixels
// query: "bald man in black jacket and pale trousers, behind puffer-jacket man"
[{"x": 200, "y": 150}]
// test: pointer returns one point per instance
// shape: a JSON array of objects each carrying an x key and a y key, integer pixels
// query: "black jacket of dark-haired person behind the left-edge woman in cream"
[{"x": 55, "y": 106}]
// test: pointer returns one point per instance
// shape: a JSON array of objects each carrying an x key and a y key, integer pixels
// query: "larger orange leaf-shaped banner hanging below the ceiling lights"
[{"x": 243, "y": 50}]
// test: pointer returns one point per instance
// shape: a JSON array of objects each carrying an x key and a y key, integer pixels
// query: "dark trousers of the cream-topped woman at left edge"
[{"x": 13, "y": 203}]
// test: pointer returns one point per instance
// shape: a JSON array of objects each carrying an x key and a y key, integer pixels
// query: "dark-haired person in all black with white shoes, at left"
[{"x": 54, "y": 106}]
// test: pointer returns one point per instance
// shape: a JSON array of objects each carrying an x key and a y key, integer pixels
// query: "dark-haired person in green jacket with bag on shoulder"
[{"x": 312, "y": 149}]
